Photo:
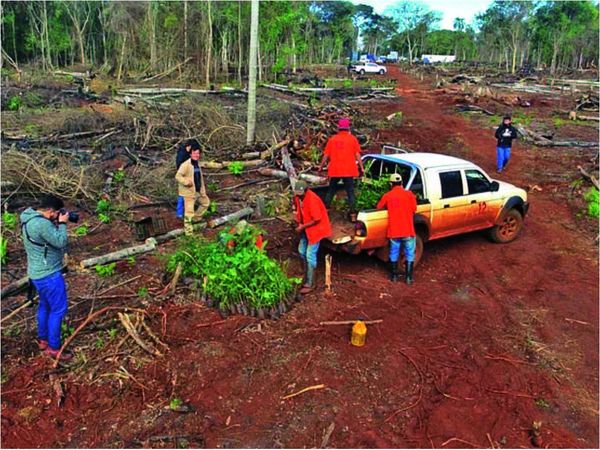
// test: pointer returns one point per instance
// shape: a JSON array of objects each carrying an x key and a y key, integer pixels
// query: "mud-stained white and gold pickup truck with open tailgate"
[{"x": 454, "y": 196}]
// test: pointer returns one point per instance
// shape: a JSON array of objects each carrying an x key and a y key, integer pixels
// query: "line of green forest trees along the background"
[{"x": 209, "y": 40}]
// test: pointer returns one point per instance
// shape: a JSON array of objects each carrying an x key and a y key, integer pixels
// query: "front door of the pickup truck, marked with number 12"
[{"x": 483, "y": 203}]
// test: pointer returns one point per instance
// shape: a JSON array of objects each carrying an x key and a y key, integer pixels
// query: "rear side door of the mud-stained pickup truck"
[{"x": 449, "y": 208}]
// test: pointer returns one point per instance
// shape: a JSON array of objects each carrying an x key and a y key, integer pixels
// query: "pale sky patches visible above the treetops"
[{"x": 450, "y": 9}]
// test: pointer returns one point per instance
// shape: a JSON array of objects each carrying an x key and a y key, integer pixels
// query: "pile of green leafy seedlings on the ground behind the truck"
[{"x": 235, "y": 274}]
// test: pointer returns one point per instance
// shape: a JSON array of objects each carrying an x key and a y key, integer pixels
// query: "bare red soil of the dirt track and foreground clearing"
[{"x": 488, "y": 340}]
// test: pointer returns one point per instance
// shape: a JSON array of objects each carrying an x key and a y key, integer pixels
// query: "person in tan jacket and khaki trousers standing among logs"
[{"x": 192, "y": 189}]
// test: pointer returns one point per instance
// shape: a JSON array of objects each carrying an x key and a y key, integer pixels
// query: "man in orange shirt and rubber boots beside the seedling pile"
[{"x": 313, "y": 226}]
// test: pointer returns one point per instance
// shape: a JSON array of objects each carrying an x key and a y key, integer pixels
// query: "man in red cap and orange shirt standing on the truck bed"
[{"x": 343, "y": 153}]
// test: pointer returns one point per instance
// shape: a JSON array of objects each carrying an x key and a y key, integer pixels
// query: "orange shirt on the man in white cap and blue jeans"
[{"x": 401, "y": 205}]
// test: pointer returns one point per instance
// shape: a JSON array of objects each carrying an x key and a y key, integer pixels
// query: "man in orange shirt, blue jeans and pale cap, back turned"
[{"x": 401, "y": 205}]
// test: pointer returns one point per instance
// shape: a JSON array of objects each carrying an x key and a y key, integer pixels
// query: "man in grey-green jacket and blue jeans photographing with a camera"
[{"x": 44, "y": 234}]
